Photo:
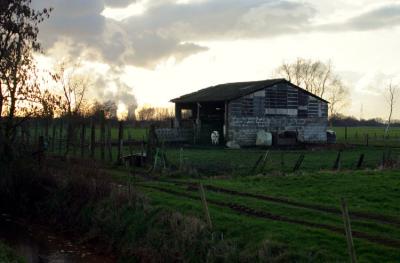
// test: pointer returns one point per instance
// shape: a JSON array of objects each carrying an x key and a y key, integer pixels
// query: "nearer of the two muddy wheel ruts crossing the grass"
[{"x": 244, "y": 210}]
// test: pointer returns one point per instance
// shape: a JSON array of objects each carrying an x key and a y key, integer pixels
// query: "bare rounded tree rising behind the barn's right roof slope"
[{"x": 318, "y": 78}]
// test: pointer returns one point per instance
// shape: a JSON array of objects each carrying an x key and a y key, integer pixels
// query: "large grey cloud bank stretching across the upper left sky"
[{"x": 166, "y": 28}]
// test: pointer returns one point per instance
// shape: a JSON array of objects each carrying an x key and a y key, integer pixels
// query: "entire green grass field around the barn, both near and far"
[{"x": 274, "y": 205}]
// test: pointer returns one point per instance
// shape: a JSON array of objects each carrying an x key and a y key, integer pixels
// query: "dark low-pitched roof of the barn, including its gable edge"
[{"x": 230, "y": 91}]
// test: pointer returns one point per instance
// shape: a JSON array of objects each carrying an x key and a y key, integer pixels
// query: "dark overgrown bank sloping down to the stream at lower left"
[{"x": 75, "y": 196}]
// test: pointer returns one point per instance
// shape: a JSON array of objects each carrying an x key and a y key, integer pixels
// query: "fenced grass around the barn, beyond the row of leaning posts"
[{"x": 217, "y": 160}]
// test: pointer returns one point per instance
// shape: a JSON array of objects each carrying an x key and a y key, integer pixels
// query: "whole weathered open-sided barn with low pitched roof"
[{"x": 239, "y": 111}]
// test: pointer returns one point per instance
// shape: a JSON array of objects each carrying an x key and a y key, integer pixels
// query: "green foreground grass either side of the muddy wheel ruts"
[{"x": 370, "y": 191}]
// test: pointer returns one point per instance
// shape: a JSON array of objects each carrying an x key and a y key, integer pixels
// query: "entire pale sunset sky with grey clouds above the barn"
[{"x": 151, "y": 51}]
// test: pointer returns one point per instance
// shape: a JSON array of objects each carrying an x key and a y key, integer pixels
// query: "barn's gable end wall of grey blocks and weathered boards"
[{"x": 277, "y": 109}]
